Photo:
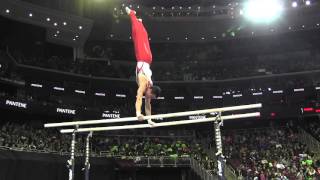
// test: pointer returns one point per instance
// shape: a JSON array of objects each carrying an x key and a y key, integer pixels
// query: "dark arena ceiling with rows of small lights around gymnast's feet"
[{"x": 184, "y": 20}]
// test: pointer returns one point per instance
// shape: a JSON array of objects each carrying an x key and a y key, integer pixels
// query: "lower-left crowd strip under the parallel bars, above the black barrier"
[{"x": 27, "y": 137}]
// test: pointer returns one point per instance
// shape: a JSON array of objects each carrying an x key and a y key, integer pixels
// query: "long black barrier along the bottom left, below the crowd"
[{"x": 16, "y": 165}]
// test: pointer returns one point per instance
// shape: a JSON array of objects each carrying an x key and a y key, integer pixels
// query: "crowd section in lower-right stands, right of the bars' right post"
[{"x": 269, "y": 153}]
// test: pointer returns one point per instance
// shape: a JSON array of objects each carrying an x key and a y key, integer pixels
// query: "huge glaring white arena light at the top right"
[{"x": 262, "y": 11}]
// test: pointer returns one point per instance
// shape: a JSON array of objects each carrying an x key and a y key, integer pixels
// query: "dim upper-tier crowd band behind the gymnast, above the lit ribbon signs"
[{"x": 195, "y": 64}]
